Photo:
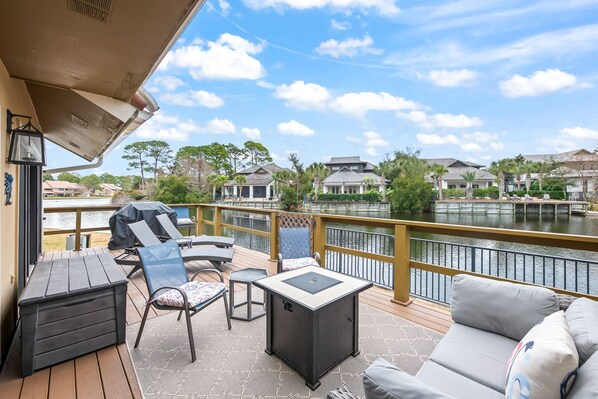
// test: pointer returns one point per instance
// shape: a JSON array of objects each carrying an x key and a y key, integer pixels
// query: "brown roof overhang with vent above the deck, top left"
[{"x": 84, "y": 62}]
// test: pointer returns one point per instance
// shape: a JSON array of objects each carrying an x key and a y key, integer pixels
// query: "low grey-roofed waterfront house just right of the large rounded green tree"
[{"x": 456, "y": 168}]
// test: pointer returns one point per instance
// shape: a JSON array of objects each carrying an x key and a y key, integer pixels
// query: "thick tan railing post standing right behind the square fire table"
[{"x": 401, "y": 265}]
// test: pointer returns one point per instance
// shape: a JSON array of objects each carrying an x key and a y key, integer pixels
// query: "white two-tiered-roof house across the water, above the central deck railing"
[{"x": 351, "y": 175}]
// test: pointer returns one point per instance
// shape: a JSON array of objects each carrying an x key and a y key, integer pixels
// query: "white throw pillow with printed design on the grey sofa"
[{"x": 544, "y": 364}]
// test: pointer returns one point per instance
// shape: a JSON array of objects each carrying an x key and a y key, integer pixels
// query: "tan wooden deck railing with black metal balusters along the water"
[{"x": 408, "y": 265}]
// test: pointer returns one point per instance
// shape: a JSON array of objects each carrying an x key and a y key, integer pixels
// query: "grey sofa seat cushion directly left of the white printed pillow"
[{"x": 475, "y": 354}]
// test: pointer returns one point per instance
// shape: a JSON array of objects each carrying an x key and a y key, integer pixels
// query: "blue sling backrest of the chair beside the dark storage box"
[{"x": 163, "y": 266}]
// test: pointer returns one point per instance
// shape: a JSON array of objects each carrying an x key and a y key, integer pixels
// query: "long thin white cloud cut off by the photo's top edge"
[{"x": 382, "y": 7}]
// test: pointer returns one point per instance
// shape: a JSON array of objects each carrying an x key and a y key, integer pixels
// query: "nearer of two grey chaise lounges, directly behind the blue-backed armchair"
[{"x": 216, "y": 256}]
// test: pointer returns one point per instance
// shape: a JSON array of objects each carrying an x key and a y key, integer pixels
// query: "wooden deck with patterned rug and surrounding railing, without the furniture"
[{"x": 402, "y": 317}]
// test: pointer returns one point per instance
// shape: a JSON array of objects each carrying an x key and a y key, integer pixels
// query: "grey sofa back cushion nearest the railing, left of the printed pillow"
[{"x": 475, "y": 303}]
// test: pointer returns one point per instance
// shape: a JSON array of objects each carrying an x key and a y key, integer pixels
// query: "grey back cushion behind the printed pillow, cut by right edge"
[{"x": 582, "y": 317}]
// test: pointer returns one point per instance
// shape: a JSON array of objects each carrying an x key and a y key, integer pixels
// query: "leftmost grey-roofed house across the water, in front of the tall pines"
[{"x": 259, "y": 184}]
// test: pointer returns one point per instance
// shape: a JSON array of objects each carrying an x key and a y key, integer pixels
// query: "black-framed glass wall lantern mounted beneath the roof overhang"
[{"x": 27, "y": 145}]
